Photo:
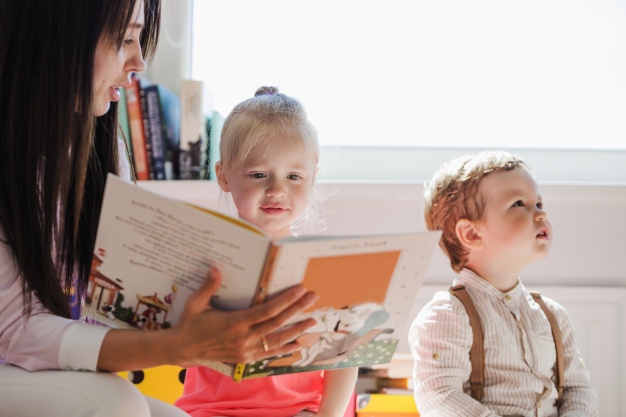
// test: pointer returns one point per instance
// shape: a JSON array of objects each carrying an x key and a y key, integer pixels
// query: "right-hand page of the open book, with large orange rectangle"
[{"x": 366, "y": 287}]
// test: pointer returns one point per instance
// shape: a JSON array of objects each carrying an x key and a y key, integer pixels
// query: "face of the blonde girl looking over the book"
[{"x": 271, "y": 189}]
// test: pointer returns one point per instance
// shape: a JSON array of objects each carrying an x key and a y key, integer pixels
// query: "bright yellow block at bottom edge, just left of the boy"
[{"x": 385, "y": 405}]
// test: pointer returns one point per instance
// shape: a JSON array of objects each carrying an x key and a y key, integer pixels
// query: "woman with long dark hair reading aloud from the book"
[{"x": 62, "y": 64}]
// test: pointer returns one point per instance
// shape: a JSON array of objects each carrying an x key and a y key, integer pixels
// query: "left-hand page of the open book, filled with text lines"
[{"x": 152, "y": 252}]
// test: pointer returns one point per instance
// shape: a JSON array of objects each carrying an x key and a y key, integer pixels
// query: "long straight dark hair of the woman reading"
[{"x": 54, "y": 153}]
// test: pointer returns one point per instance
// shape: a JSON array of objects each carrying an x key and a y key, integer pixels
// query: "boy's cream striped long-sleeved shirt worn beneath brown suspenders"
[{"x": 519, "y": 356}]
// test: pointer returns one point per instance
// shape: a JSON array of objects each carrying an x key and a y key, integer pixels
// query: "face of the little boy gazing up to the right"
[{"x": 514, "y": 228}]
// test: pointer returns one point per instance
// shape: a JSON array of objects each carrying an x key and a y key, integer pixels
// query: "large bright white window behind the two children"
[{"x": 396, "y": 88}]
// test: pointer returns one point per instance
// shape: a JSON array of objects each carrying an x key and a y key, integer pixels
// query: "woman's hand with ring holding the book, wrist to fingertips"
[{"x": 204, "y": 333}]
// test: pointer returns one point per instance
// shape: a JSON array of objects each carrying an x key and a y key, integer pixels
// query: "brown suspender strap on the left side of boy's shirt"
[{"x": 477, "y": 352}]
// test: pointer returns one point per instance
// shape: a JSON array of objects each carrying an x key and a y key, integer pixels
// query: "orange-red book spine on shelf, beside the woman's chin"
[{"x": 135, "y": 124}]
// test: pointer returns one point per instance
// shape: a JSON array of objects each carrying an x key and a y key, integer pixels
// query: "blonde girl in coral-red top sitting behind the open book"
[{"x": 269, "y": 156}]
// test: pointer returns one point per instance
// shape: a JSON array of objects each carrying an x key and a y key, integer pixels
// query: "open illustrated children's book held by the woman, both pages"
[{"x": 152, "y": 252}]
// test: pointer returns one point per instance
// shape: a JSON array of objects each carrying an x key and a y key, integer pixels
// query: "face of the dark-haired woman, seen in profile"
[{"x": 114, "y": 65}]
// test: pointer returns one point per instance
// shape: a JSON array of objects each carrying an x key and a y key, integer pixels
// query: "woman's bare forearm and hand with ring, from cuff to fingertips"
[{"x": 206, "y": 334}]
